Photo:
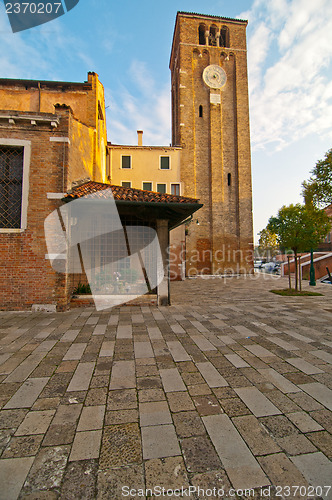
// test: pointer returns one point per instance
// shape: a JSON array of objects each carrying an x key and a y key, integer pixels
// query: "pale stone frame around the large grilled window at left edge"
[{"x": 25, "y": 181}]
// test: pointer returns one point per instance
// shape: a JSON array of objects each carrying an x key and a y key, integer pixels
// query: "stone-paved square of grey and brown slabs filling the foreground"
[{"x": 229, "y": 388}]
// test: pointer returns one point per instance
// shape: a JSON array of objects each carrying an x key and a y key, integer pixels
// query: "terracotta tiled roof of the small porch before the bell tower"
[{"x": 125, "y": 194}]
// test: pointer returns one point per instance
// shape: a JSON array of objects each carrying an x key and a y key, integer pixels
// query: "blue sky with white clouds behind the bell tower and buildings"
[{"x": 128, "y": 44}]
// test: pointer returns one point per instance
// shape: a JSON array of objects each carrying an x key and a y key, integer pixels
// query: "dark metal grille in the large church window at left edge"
[{"x": 11, "y": 181}]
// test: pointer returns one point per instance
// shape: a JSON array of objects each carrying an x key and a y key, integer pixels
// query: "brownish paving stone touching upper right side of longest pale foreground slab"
[{"x": 255, "y": 435}]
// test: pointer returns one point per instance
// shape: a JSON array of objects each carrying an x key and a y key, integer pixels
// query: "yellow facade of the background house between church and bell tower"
[{"x": 145, "y": 170}]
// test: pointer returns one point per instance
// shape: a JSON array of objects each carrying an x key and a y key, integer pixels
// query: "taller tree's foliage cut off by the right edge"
[{"x": 318, "y": 189}]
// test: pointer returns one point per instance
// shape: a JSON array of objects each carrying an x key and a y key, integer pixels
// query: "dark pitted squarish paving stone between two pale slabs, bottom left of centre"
[{"x": 121, "y": 445}]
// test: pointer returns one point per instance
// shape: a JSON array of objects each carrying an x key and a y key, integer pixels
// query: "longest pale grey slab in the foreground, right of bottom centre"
[{"x": 240, "y": 465}]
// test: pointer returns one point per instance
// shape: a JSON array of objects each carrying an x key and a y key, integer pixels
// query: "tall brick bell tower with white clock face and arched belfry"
[{"x": 210, "y": 120}]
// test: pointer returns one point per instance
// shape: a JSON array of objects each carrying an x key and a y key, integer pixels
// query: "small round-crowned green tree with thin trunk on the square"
[{"x": 299, "y": 227}]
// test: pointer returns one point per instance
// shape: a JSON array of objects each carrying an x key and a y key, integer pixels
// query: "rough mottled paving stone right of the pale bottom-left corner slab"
[{"x": 44, "y": 474}]
